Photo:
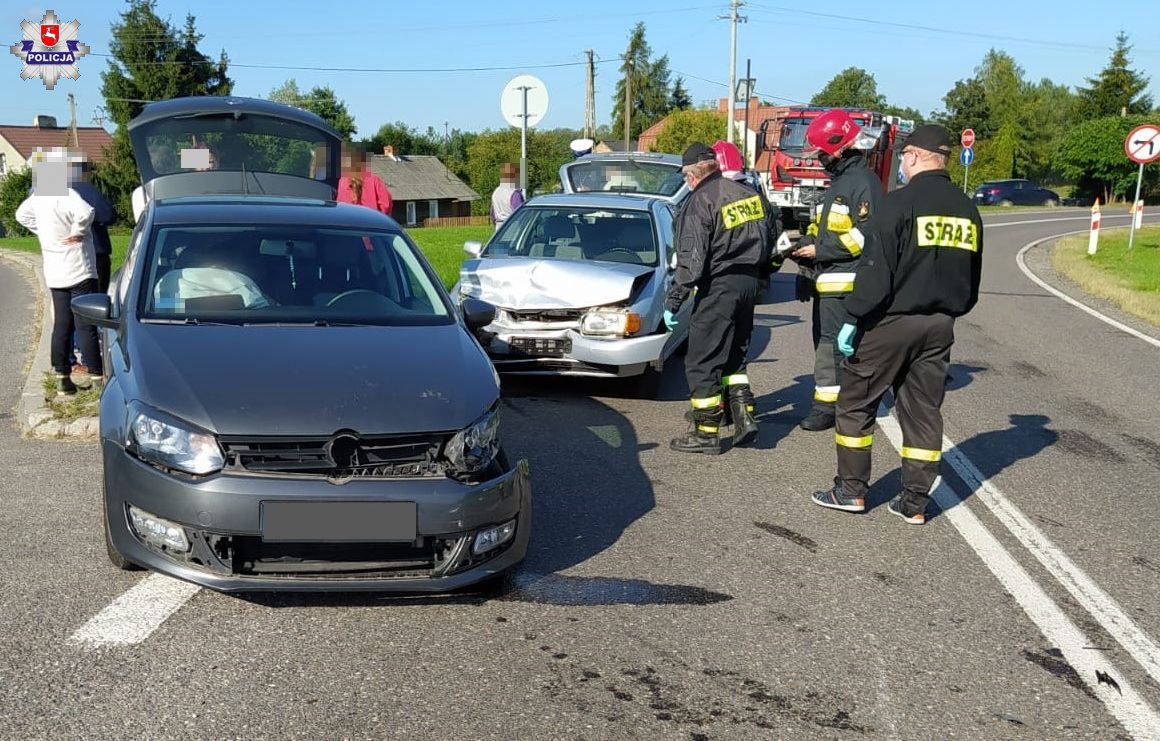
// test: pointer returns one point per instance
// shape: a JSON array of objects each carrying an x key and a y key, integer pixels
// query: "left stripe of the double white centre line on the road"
[{"x": 1137, "y": 717}]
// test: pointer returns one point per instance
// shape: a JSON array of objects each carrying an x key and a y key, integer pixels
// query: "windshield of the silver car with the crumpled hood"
[{"x": 577, "y": 234}]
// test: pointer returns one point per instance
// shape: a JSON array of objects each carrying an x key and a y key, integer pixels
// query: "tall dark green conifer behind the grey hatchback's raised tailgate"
[{"x": 151, "y": 61}]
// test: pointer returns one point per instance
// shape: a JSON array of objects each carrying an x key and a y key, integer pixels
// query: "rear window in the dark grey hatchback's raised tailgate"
[{"x": 221, "y": 143}]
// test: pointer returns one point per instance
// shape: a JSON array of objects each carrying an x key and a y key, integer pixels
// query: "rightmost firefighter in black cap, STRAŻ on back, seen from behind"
[{"x": 920, "y": 270}]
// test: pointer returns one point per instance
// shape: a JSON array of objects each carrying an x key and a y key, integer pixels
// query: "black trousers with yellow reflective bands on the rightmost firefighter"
[{"x": 910, "y": 354}]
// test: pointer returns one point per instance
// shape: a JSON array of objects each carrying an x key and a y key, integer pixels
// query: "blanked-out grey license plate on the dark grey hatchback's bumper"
[{"x": 331, "y": 522}]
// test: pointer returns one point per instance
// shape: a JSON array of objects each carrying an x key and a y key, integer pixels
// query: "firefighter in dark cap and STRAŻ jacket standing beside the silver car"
[{"x": 722, "y": 238}]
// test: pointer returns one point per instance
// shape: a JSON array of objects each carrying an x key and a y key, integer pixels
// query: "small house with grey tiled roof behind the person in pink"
[{"x": 423, "y": 188}]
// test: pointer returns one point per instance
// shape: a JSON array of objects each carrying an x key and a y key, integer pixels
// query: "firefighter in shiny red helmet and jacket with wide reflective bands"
[{"x": 830, "y": 250}]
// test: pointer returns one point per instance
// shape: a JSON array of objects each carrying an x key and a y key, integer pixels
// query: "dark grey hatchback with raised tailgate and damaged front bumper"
[{"x": 294, "y": 403}]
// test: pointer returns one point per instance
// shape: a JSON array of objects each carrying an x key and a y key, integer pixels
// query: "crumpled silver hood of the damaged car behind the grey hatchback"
[{"x": 530, "y": 284}]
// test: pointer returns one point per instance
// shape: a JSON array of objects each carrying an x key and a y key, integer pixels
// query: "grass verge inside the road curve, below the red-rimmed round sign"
[{"x": 1128, "y": 279}]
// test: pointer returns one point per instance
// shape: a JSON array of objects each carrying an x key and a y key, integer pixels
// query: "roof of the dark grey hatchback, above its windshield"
[{"x": 259, "y": 210}]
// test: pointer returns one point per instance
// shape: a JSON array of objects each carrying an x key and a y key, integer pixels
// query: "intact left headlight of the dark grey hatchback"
[{"x": 166, "y": 442}]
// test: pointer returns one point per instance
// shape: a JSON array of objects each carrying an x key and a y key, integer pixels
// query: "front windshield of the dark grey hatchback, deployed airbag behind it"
[{"x": 288, "y": 274}]
